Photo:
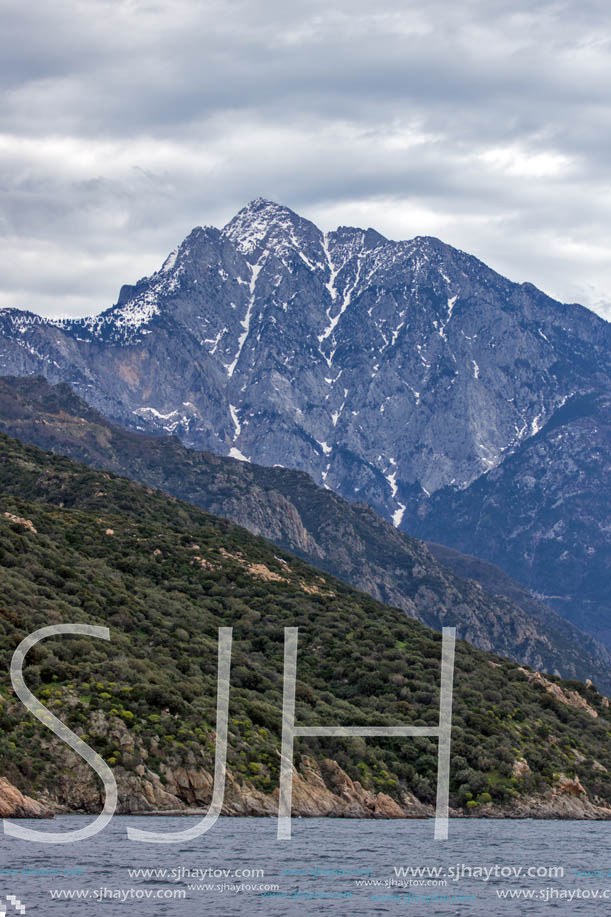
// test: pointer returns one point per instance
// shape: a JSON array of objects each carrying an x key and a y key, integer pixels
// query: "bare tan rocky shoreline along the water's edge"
[{"x": 319, "y": 791}]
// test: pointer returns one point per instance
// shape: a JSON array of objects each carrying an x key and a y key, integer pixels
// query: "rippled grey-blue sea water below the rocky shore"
[{"x": 324, "y": 858}]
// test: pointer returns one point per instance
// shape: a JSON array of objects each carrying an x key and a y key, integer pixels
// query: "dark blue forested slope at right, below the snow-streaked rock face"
[{"x": 544, "y": 514}]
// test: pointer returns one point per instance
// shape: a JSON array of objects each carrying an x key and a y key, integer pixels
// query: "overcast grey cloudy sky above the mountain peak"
[{"x": 124, "y": 123}]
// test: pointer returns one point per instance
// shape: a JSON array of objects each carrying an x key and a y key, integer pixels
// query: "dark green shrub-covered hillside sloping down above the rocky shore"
[{"x": 163, "y": 576}]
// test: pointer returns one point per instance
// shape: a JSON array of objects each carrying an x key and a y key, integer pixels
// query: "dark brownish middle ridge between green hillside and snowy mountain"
[{"x": 347, "y": 540}]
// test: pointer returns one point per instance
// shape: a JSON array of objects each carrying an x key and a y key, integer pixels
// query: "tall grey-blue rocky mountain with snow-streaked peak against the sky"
[{"x": 391, "y": 372}]
